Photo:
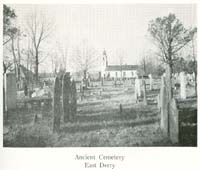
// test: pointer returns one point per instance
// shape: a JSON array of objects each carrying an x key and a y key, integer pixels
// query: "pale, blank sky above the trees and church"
[{"x": 111, "y": 27}]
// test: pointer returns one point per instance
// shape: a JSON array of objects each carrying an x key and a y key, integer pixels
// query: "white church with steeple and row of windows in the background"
[{"x": 117, "y": 71}]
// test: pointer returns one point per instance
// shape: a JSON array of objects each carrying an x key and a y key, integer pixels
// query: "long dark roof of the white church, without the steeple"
[{"x": 122, "y": 67}]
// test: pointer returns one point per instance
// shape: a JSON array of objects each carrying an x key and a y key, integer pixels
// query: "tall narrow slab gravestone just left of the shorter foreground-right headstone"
[{"x": 164, "y": 106}]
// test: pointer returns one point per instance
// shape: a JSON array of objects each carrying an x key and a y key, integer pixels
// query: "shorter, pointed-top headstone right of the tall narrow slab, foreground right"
[{"x": 173, "y": 122}]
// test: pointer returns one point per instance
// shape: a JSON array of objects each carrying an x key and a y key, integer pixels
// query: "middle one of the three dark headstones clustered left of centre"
[{"x": 66, "y": 96}]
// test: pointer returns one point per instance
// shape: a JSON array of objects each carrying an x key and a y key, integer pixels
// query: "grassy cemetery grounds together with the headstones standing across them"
[{"x": 129, "y": 114}]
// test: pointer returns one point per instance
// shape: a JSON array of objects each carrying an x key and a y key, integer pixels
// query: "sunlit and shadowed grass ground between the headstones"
[{"x": 98, "y": 122}]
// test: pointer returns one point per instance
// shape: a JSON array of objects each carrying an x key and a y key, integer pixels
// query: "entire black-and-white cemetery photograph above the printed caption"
[{"x": 99, "y": 75}]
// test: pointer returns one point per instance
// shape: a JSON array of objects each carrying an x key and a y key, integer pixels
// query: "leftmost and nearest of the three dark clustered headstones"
[{"x": 56, "y": 105}]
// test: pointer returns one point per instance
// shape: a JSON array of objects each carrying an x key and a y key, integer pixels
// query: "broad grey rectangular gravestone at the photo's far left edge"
[{"x": 10, "y": 91}]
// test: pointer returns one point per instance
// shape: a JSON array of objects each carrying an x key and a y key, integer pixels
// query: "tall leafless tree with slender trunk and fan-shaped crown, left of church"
[{"x": 39, "y": 29}]
